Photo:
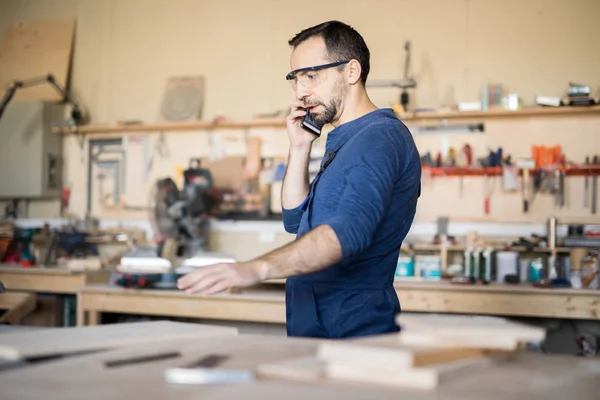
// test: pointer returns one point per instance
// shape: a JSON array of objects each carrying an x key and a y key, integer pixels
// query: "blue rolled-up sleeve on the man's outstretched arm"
[{"x": 364, "y": 200}]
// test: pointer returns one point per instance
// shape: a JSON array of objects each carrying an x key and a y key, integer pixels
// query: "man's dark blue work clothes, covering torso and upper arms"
[{"x": 367, "y": 192}]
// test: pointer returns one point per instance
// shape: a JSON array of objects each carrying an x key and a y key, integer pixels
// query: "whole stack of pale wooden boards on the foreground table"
[{"x": 438, "y": 347}]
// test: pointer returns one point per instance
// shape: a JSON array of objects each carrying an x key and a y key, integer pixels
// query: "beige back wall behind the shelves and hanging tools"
[{"x": 126, "y": 50}]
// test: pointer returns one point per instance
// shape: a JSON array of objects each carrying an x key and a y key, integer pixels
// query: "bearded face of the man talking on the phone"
[{"x": 326, "y": 97}]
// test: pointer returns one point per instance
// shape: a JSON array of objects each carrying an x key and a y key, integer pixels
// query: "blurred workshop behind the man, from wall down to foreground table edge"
[{"x": 189, "y": 98}]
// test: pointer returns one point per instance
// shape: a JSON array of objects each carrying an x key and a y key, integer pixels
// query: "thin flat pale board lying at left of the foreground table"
[{"x": 73, "y": 340}]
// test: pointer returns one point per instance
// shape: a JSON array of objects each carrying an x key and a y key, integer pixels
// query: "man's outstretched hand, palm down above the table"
[{"x": 216, "y": 278}]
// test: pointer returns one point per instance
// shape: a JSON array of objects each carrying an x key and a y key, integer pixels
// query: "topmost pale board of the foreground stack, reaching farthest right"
[{"x": 466, "y": 331}]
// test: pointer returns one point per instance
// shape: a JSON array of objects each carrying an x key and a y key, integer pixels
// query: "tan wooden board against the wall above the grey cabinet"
[{"x": 36, "y": 48}]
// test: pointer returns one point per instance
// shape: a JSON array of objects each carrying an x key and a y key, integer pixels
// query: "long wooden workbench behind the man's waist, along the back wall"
[{"x": 268, "y": 305}]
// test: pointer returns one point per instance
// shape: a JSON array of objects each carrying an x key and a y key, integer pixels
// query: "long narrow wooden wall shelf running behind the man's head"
[{"x": 107, "y": 130}]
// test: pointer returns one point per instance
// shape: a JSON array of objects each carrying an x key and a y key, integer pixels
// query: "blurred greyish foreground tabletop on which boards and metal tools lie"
[{"x": 534, "y": 375}]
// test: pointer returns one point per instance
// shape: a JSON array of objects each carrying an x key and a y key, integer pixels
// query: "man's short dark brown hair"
[{"x": 342, "y": 43}]
